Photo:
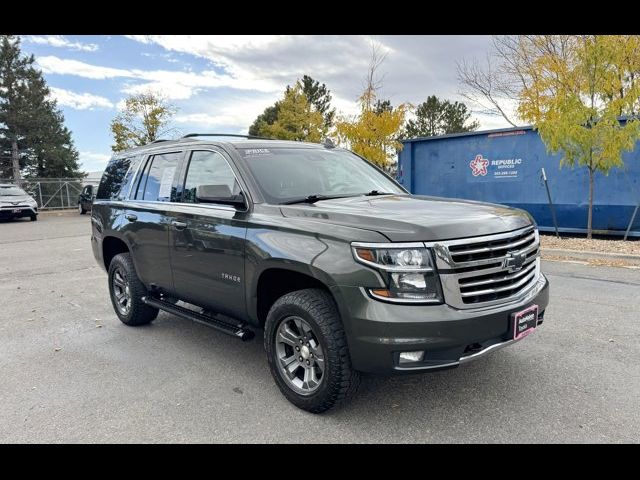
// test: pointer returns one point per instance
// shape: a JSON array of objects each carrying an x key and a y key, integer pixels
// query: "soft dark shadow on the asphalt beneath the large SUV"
[{"x": 503, "y": 381}]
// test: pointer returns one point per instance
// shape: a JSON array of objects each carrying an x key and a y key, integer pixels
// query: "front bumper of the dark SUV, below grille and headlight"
[{"x": 377, "y": 332}]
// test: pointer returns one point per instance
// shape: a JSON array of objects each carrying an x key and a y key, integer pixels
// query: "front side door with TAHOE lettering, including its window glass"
[{"x": 208, "y": 239}]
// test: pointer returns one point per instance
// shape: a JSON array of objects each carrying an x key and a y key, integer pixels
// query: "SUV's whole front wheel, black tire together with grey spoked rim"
[{"x": 307, "y": 351}]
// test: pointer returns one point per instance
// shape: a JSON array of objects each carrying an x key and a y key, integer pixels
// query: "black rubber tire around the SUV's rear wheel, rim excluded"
[{"x": 137, "y": 312}]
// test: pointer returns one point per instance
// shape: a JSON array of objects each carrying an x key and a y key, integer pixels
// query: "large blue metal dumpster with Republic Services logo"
[{"x": 504, "y": 166}]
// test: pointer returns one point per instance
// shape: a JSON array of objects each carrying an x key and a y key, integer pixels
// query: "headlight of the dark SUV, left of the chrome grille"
[{"x": 409, "y": 272}]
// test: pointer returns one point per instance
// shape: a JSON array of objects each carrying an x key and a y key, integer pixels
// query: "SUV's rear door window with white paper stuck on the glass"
[{"x": 156, "y": 182}]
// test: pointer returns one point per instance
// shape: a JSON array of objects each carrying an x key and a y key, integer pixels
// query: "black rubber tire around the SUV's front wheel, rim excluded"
[{"x": 339, "y": 380}]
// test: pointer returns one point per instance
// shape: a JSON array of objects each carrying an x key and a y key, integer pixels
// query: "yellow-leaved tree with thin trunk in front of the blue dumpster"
[{"x": 583, "y": 97}]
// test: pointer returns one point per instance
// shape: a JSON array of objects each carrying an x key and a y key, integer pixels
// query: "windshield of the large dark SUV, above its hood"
[{"x": 288, "y": 174}]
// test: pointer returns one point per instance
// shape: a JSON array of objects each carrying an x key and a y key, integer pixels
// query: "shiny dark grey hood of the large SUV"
[{"x": 409, "y": 218}]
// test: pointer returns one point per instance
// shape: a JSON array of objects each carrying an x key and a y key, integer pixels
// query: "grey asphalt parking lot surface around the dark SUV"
[{"x": 71, "y": 372}]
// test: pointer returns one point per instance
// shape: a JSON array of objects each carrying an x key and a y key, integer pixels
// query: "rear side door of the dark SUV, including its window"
[{"x": 148, "y": 215}]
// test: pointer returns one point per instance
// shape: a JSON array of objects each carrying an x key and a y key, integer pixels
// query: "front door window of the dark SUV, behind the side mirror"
[{"x": 211, "y": 169}]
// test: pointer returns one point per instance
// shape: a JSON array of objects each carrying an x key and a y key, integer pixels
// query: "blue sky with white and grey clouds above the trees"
[{"x": 221, "y": 83}]
